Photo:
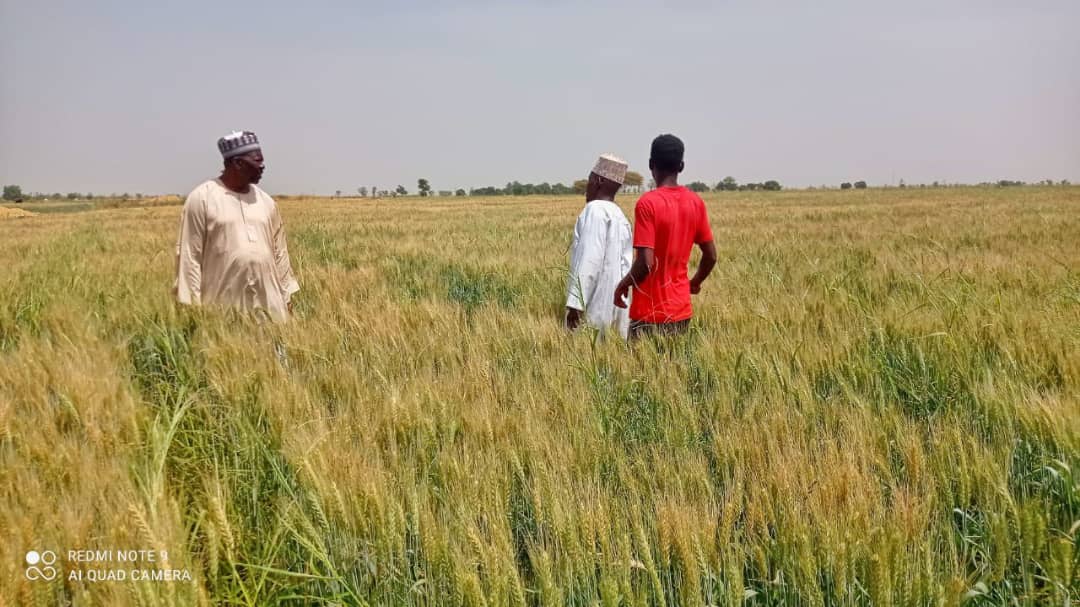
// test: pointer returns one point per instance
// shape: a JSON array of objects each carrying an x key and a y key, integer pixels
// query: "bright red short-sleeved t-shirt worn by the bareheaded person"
[{"x": 669, "y": 221}]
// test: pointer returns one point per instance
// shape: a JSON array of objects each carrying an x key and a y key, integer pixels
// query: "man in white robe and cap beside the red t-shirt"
[{"x": 602, "y": 252}]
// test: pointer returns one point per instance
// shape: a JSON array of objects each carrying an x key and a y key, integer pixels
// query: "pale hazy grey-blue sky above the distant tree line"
[{"x": 114, "y": 97}]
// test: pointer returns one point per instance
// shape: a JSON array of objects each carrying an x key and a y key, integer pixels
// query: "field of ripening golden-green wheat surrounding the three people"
[{"x": 879, "y": 404}]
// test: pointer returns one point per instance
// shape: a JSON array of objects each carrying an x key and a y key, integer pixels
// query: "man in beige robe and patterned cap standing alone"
[{"x": 232, "y": 250}]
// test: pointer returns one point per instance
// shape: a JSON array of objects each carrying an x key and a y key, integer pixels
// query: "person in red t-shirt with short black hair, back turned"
[{"x": 668, "y": 223}]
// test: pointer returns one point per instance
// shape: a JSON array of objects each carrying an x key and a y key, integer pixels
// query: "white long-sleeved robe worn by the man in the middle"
[{"x": 601, "y": 255}]
